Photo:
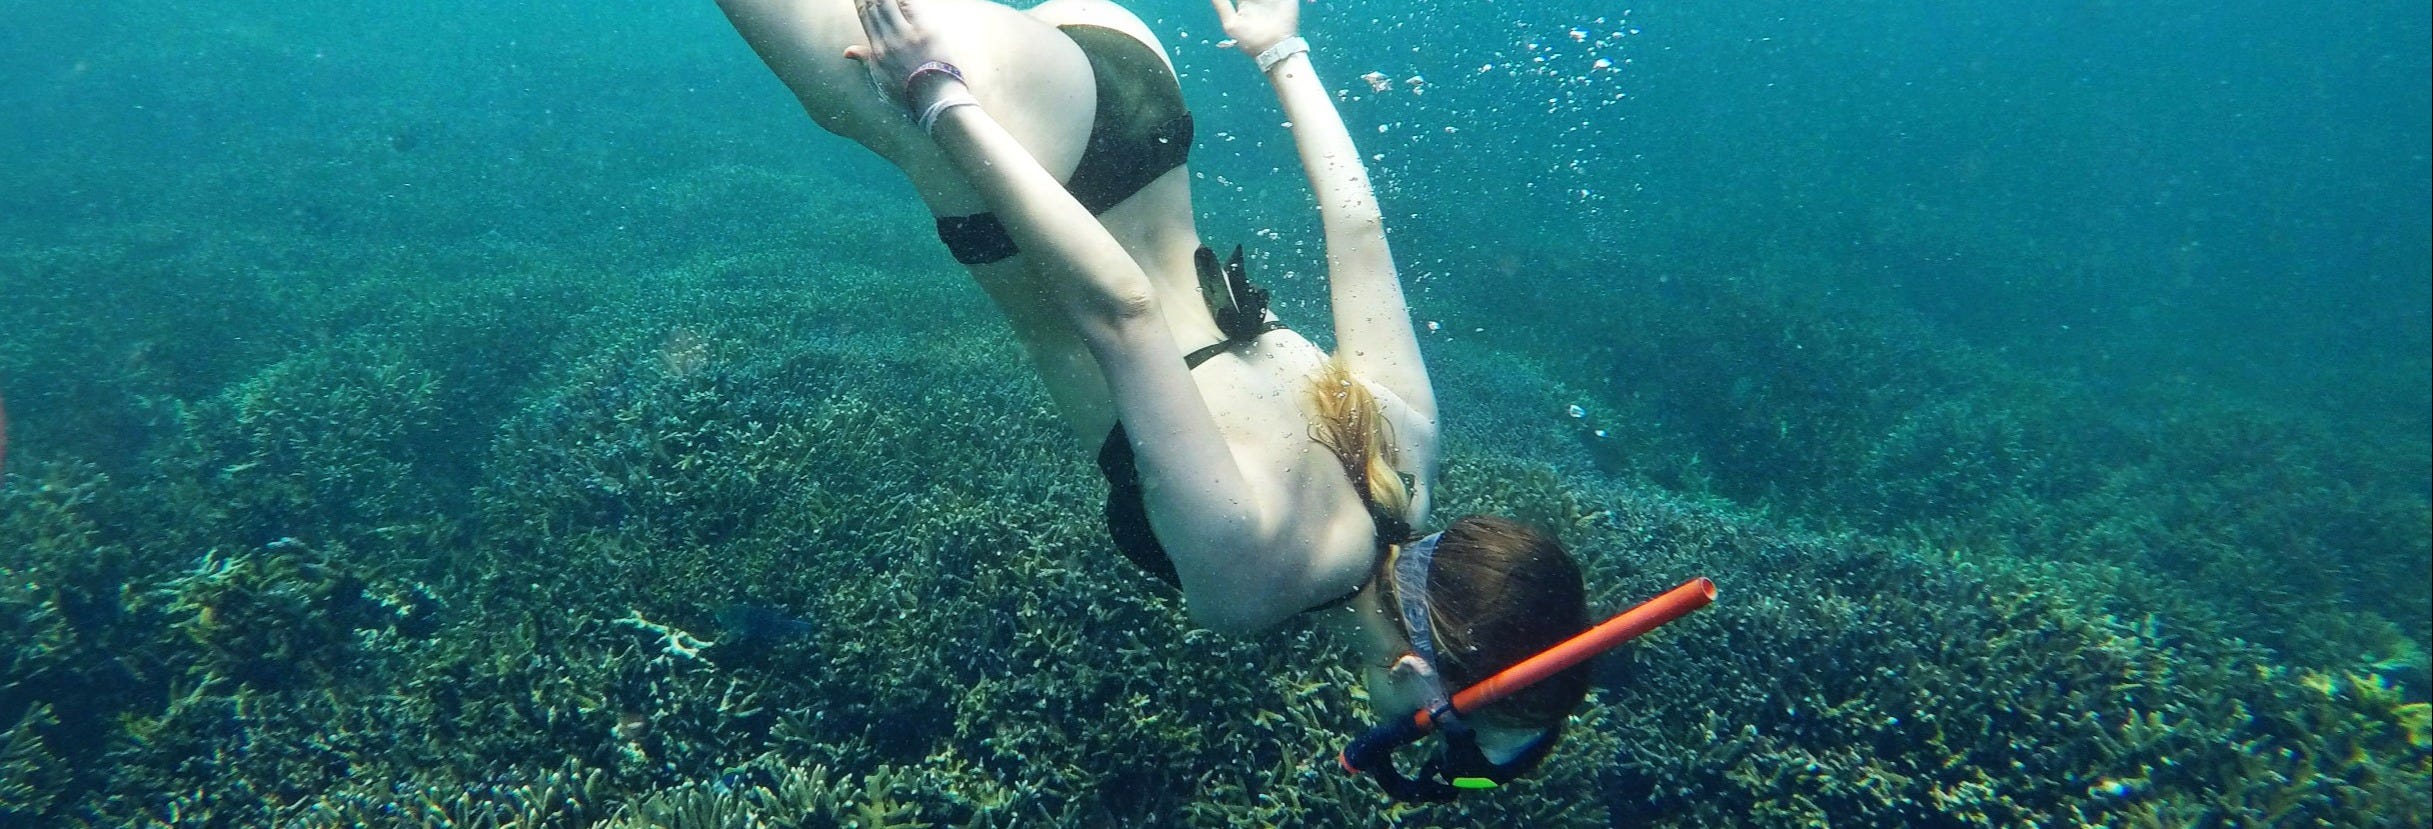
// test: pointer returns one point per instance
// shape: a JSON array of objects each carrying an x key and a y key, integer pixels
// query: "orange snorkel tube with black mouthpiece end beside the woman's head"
[{"x": 1376, "y": 750}]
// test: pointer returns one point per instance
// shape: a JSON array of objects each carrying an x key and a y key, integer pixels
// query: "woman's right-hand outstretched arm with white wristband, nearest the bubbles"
[{"x": 1373, "y": 325}]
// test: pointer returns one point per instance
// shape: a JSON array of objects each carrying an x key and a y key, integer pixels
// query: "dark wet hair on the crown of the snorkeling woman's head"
[{"x": 1498, "y": 594}]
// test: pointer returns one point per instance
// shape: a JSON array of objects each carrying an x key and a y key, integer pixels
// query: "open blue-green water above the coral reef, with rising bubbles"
[{"x": 2235, "y": 193}]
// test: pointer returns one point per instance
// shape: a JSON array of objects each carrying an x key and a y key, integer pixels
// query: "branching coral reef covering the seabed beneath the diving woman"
[{"x": 473, "y": 565}]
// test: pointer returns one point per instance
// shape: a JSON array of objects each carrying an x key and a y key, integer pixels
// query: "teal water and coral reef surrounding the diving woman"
[{"x": 456, "y": 414}]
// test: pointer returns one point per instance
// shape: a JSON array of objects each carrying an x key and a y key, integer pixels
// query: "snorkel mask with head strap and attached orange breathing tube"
[{"x": 1463, "y": 765}]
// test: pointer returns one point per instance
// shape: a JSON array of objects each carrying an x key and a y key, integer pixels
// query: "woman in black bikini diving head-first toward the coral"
[{"x": 1249, "y": 468}]
